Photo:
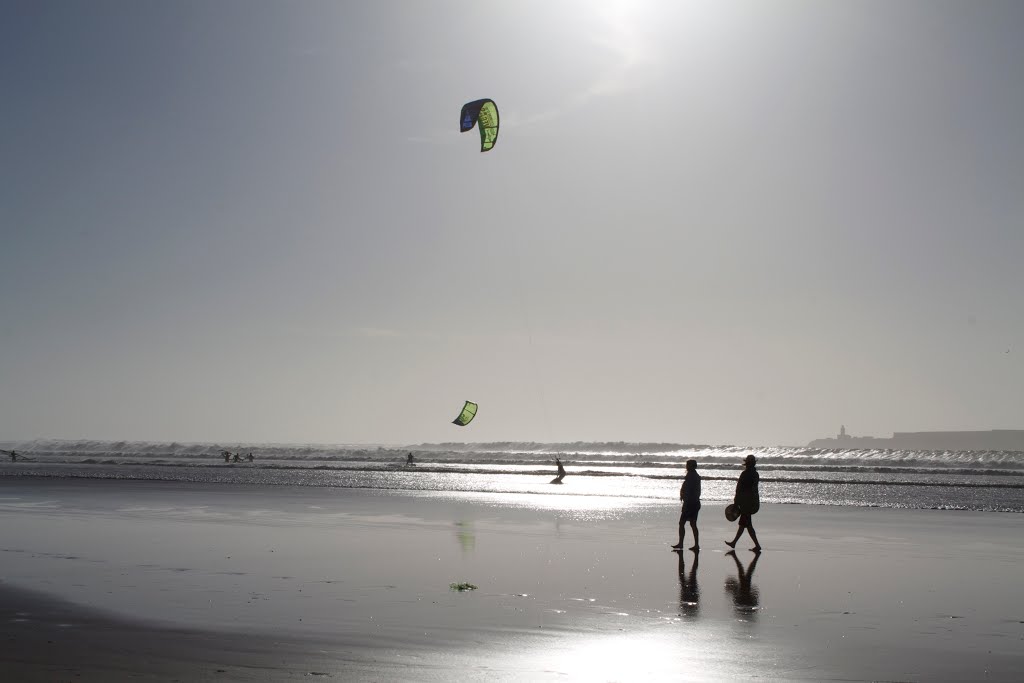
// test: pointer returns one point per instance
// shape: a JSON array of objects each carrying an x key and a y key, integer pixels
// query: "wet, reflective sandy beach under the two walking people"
[{"x": 110, "y": 581}]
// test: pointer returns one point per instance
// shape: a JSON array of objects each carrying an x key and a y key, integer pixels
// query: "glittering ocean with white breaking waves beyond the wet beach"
[{"x": 947, "y": 481}]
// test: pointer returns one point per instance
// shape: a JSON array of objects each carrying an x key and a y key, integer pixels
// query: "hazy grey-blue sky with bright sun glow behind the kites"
[{"x": 703, "y": 223}]
